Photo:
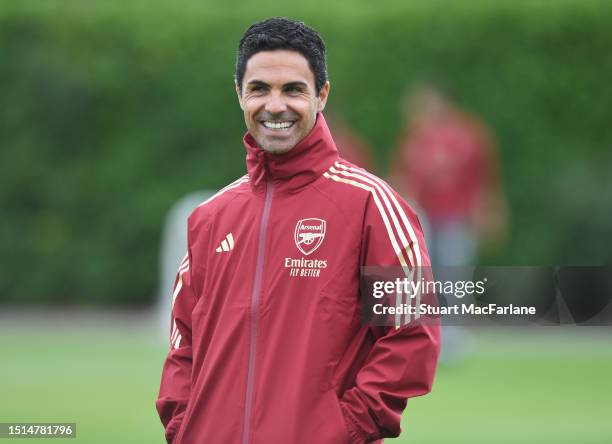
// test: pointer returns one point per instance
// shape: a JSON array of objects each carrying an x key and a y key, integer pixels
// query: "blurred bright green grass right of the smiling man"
[{"x": 516, "y": 399}]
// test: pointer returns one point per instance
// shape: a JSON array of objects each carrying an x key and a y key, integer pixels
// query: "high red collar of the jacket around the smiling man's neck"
[{"x": 296, "y": 168}]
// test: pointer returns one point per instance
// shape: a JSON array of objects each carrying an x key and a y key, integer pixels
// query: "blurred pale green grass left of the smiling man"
[{"x": 103, "y": 377}]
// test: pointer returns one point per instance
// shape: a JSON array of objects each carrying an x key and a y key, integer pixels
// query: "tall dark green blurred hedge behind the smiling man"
[{"x": 112, "y": 113}]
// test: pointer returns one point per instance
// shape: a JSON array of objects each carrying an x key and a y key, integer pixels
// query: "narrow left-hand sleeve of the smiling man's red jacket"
[{"x": 176, "y": 375}]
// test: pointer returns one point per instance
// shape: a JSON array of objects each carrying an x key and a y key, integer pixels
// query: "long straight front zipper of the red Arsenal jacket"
[{"x": 254, "y": 305}]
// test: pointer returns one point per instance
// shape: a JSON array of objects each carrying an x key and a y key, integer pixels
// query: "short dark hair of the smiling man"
[{"x": 283, "y": 33}]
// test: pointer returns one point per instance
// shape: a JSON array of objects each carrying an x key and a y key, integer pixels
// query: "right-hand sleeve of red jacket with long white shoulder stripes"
[{"x": 403, "y": 359}]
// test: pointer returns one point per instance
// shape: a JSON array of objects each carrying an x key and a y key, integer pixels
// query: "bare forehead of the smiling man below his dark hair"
[{"x": 278, "y": 67}]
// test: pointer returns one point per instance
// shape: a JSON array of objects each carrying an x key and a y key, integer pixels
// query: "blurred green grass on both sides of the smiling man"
[{"x": 541, "y": 386}]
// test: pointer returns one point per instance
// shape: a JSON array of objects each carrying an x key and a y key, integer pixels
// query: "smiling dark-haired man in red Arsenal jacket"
[{"x": 267, "y": 342}]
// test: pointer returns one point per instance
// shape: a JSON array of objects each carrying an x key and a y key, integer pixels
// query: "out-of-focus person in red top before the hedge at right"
[{"x": 446, "y": 163}]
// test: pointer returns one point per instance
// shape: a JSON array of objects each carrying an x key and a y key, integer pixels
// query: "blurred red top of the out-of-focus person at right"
[{"x": 446, "y": 164}]
